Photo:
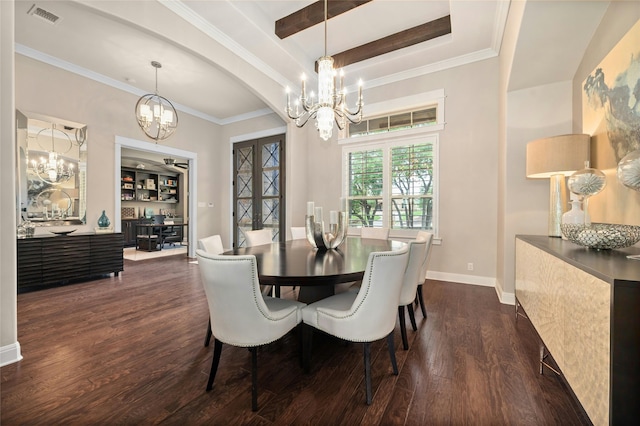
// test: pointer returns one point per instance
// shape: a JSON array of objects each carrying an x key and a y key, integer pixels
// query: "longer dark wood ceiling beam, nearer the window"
[{"x": 402, "y": 39}]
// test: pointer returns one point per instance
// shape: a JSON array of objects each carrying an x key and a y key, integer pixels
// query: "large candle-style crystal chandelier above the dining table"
[{"x": 331, "y": 105}]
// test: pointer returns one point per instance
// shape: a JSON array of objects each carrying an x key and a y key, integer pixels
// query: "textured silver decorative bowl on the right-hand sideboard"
[{"x": 602, "y": 236}]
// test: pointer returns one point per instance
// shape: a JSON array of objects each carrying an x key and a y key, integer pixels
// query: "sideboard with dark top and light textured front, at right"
[{"x": 584, "y": 305}]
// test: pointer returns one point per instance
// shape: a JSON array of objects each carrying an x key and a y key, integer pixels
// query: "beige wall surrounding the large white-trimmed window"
[{"x": 468, "y": 164}]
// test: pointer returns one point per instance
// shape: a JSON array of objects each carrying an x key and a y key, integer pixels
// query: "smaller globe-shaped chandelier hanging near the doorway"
[{"x": 156, "y": 115}]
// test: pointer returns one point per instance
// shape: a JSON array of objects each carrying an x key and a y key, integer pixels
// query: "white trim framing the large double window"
[{"x": 385, "y": 142}]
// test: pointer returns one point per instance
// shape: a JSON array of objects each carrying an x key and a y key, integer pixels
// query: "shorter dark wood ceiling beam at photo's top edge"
[{"x": 313, "y": 15}]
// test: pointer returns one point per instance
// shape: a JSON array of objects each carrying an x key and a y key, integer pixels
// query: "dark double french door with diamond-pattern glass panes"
[{"x": 258, "y": 187}]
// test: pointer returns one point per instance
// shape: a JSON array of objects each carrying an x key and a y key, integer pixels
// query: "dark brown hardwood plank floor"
[{"x": 129, "y": 350}]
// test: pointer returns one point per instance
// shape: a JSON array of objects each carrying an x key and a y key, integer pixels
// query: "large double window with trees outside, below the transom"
[{"x": 392, "y": 183}]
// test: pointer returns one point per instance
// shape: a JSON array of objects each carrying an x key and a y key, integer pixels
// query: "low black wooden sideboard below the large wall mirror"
[{"x": 60, "y": 259}]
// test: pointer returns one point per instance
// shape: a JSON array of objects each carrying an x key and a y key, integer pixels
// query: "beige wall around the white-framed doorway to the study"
[{"x": 109, "y": 113}]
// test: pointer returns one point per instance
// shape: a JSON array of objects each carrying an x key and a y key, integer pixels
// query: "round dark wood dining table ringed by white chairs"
[{"x": 316, "y": 272}]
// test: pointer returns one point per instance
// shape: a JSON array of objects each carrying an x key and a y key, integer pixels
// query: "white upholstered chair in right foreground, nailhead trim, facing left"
[{"x": 364, "y": 316}]
